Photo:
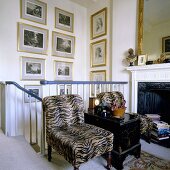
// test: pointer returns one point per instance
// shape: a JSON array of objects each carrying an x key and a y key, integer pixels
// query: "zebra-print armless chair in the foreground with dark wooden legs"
[{"x": 67, "y": 133}]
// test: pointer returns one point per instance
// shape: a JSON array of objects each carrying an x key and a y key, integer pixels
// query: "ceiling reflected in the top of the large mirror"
[{"x": 156, "y": 11}]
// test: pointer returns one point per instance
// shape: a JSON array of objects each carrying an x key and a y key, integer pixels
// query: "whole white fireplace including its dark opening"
[{"x": 151, "y": 82}]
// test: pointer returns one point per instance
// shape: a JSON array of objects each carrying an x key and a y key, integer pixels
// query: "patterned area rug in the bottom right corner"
[{"x": 147, "y": 162}]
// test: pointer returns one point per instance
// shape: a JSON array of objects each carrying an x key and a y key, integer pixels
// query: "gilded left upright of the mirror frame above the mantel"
[{"x": 140, "y": 26}]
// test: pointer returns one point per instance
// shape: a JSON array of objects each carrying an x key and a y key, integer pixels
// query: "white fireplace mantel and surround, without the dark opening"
[{"x": 147, "y": 73}]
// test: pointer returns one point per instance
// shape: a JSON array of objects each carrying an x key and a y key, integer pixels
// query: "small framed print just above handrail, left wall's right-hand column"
[{"x": 63, "y": 70}]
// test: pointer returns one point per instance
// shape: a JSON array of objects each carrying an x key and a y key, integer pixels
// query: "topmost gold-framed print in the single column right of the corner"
[{"x": 99, "y": 23}]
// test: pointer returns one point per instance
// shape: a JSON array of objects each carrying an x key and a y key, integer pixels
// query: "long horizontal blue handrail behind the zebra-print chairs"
[{"x": 46, "y": 82}]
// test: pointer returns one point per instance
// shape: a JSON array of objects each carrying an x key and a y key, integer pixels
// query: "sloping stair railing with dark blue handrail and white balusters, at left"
[{"x": 33, "y": 110}]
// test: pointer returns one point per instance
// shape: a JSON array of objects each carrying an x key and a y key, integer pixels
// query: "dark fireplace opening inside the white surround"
[{"x": 154, "y": 98}]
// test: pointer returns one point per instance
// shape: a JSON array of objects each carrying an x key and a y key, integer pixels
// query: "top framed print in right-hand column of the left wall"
[{"x": 64, "y": 20}]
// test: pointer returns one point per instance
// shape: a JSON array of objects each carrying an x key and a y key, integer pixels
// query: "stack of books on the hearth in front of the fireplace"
[{"x": 161, "y": 130}]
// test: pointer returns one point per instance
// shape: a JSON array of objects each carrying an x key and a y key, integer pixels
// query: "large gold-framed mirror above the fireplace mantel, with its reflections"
[{"x": 154, "y": 28}]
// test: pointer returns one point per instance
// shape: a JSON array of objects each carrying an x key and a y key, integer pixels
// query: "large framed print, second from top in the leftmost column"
[{"x": 32, "y": 39}]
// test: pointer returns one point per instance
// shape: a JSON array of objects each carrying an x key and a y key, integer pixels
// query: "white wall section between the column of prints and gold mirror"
[{"x": 124, "y": 35}]
